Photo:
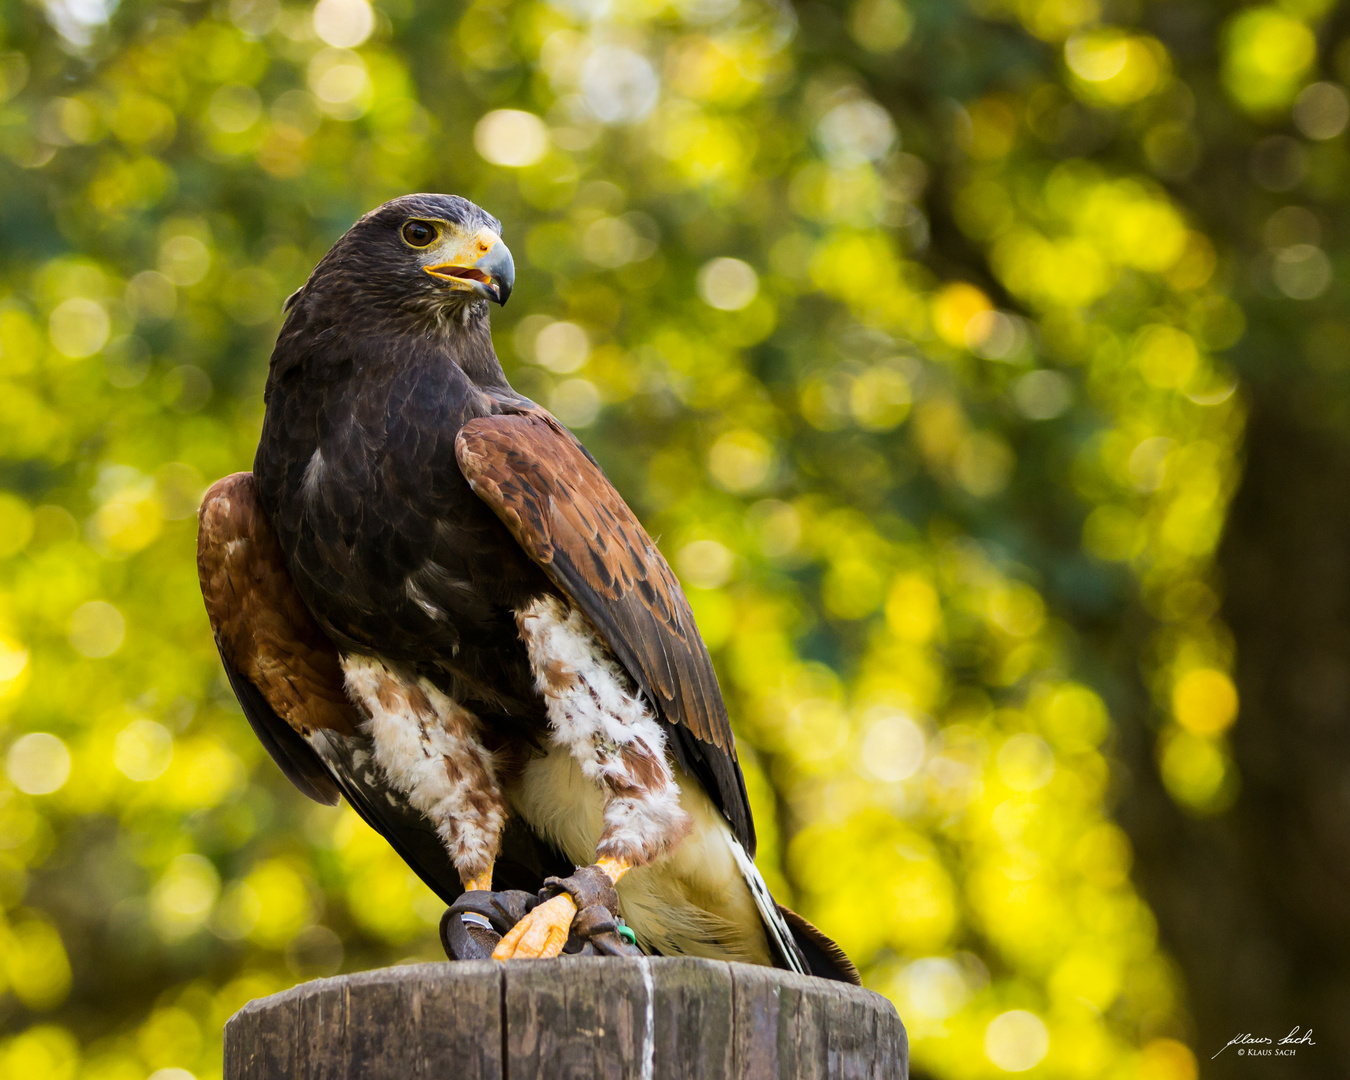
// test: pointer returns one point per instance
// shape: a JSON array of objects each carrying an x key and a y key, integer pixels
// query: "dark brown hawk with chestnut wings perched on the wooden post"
[{"x": 431, "y": 600}]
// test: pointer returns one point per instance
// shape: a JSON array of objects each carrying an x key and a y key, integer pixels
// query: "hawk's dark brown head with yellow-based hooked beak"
[{"x": 423, "y": 256}]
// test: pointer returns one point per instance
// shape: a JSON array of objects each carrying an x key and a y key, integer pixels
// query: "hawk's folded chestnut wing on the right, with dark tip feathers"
[{"x": 569, "y": 518}]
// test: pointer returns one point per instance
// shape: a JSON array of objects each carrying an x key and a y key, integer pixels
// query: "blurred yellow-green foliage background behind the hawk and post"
[{"x": 982, "y": 365}]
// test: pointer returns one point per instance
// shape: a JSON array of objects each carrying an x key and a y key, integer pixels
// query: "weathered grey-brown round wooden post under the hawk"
[{"x": 572, "y": 1019}]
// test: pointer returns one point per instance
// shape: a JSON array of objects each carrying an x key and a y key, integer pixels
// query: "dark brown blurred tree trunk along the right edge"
[{"x": 1256, "y": 904}]
